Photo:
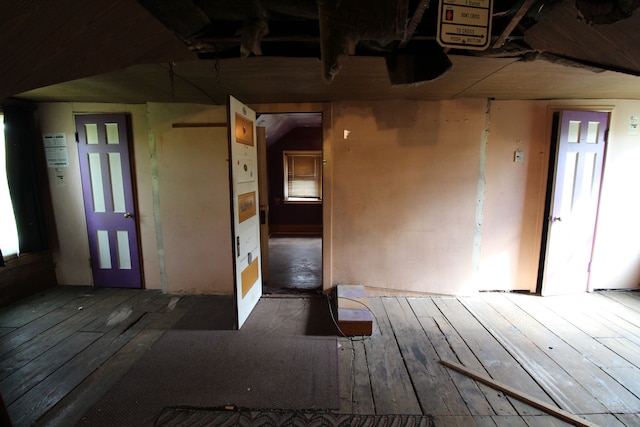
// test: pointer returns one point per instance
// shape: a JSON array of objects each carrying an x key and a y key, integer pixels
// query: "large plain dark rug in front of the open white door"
[{"x": 219, "y": 368}]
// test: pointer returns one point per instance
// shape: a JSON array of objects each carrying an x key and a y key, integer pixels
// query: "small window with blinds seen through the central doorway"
[{"x": 303, "y": 176}]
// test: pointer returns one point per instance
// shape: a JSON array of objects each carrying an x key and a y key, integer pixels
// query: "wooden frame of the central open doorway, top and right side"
[{"x": 327, "y": 175}]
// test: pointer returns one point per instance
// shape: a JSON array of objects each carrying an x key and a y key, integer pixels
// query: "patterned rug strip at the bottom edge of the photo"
[{"x": 201, "y": 417}]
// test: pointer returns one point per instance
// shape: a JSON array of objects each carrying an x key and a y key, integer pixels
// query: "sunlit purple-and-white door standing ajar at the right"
[{"x": 574, "y": 202}]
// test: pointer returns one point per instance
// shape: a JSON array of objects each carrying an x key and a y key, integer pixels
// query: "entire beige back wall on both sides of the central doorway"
[{"x": 420, "y": 197}]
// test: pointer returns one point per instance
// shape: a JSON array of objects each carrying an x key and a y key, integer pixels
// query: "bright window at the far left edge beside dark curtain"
[{"x": 8, "y": 230}]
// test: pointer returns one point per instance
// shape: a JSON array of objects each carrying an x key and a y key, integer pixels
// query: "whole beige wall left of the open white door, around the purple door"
[{"x": 190, "y": 202}]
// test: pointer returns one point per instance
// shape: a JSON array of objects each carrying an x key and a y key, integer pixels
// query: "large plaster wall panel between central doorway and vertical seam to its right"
[{"x": 405, "y": 186}]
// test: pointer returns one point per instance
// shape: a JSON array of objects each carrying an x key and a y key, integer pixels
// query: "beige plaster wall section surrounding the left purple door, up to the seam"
[{"x": 70, "y": 248}]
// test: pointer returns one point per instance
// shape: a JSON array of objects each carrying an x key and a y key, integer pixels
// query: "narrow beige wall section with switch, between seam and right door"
[{"x": 515, "y": 195}]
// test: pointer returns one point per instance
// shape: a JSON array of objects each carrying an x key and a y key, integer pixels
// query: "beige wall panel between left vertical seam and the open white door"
[{"x": 194, "y": 203}]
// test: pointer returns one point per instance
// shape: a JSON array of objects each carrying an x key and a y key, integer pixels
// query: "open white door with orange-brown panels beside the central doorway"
[{"x": 245, "y": 199}]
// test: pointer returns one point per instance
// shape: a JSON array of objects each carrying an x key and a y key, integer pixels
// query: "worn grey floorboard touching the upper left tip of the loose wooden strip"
[{"x": 435, "y": 389}]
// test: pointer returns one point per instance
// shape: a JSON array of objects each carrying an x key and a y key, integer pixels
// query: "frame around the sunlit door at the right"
[{"x": 545, "y": 177}]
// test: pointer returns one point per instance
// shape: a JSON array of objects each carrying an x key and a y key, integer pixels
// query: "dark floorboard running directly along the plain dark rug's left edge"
[{"x": 70, "y": 409}]
